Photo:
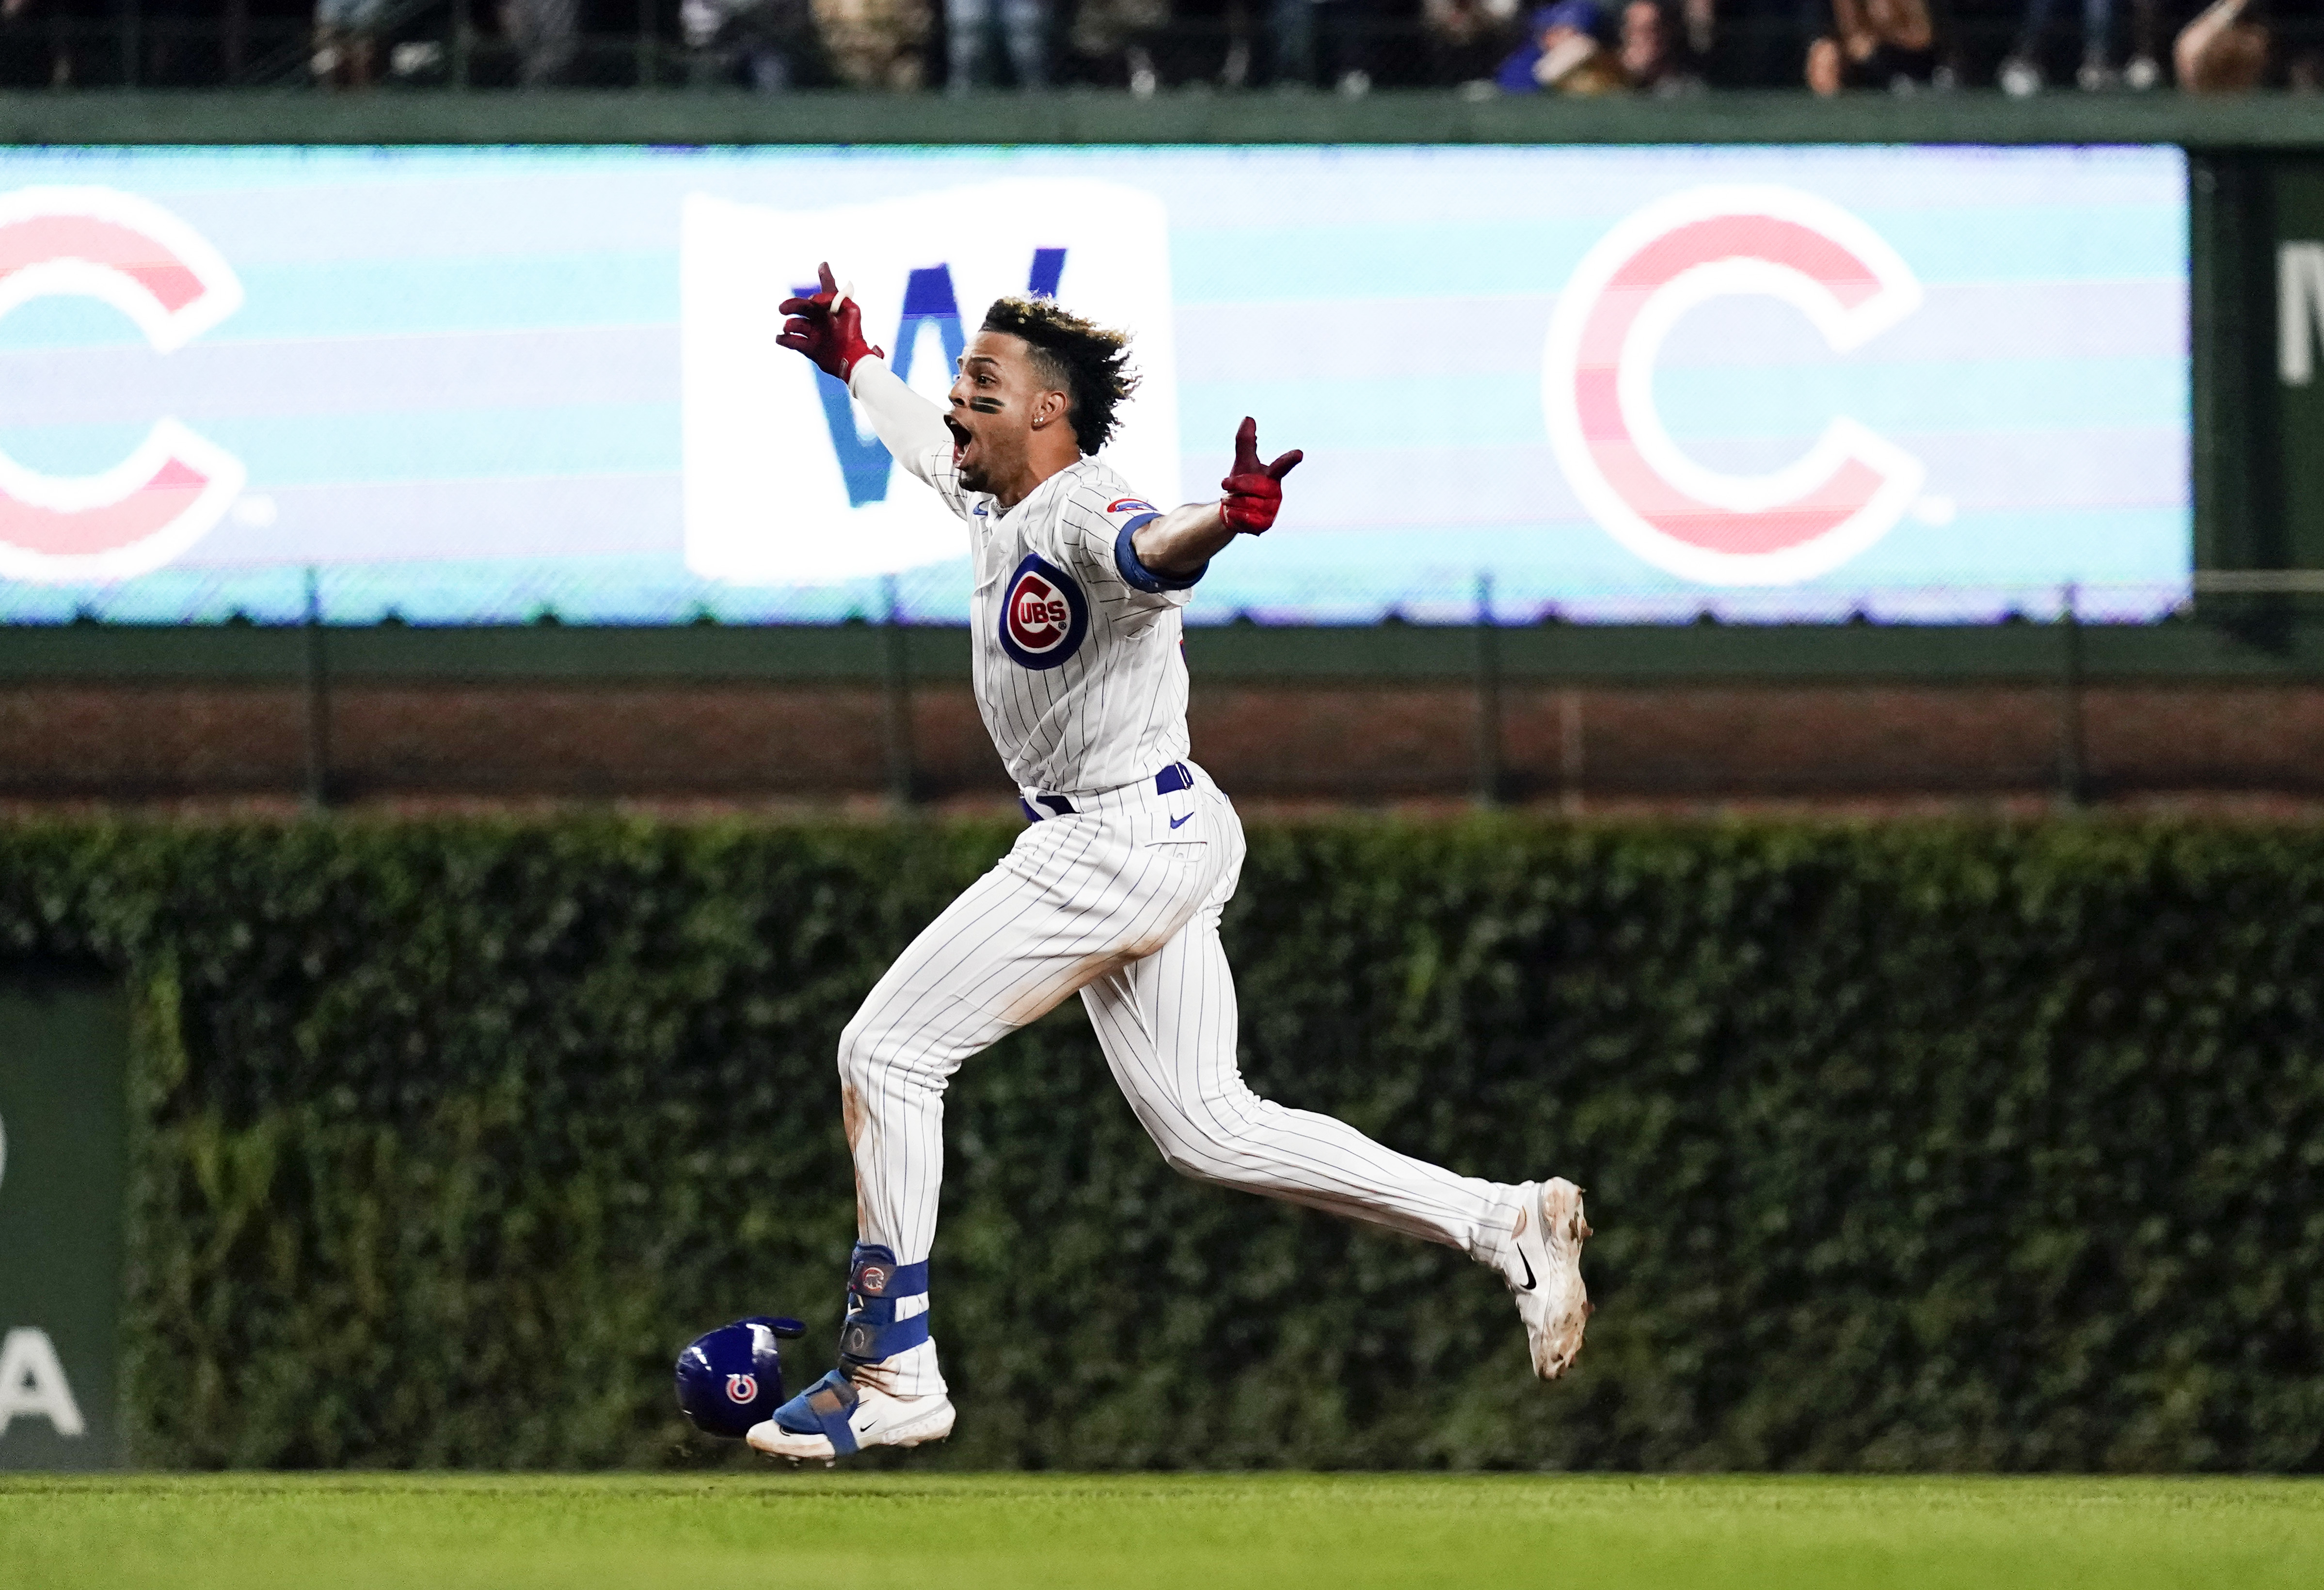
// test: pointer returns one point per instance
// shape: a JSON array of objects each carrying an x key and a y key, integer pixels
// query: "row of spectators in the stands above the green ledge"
[{"x": 1482, "y": 48}]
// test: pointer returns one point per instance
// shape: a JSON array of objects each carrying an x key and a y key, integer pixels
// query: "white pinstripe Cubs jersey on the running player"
[{"x": 1079, "y": 673}]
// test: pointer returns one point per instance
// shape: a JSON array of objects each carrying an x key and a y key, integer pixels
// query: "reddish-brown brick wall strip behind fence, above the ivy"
[{"x": 1268, "y": 743}]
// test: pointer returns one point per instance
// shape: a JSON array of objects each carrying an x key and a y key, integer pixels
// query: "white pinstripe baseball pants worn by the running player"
[{"x": 1119, "y": 903}]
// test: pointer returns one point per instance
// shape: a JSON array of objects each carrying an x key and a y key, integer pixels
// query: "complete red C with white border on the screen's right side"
[{"x": 1600, "y": 387}]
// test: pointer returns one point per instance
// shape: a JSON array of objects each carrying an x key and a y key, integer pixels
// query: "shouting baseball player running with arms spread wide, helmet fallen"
[{"x": 1117, "y": 887}]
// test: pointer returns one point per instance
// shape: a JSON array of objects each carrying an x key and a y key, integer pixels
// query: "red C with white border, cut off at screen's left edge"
[{"x": 175, "y": 485}]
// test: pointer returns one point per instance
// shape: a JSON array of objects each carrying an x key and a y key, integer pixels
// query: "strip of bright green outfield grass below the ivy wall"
[{"x": 1210, "y": 1533}]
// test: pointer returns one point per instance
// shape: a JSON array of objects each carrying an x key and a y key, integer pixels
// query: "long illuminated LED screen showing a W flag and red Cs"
[{"x": 475, "y": 385}]
